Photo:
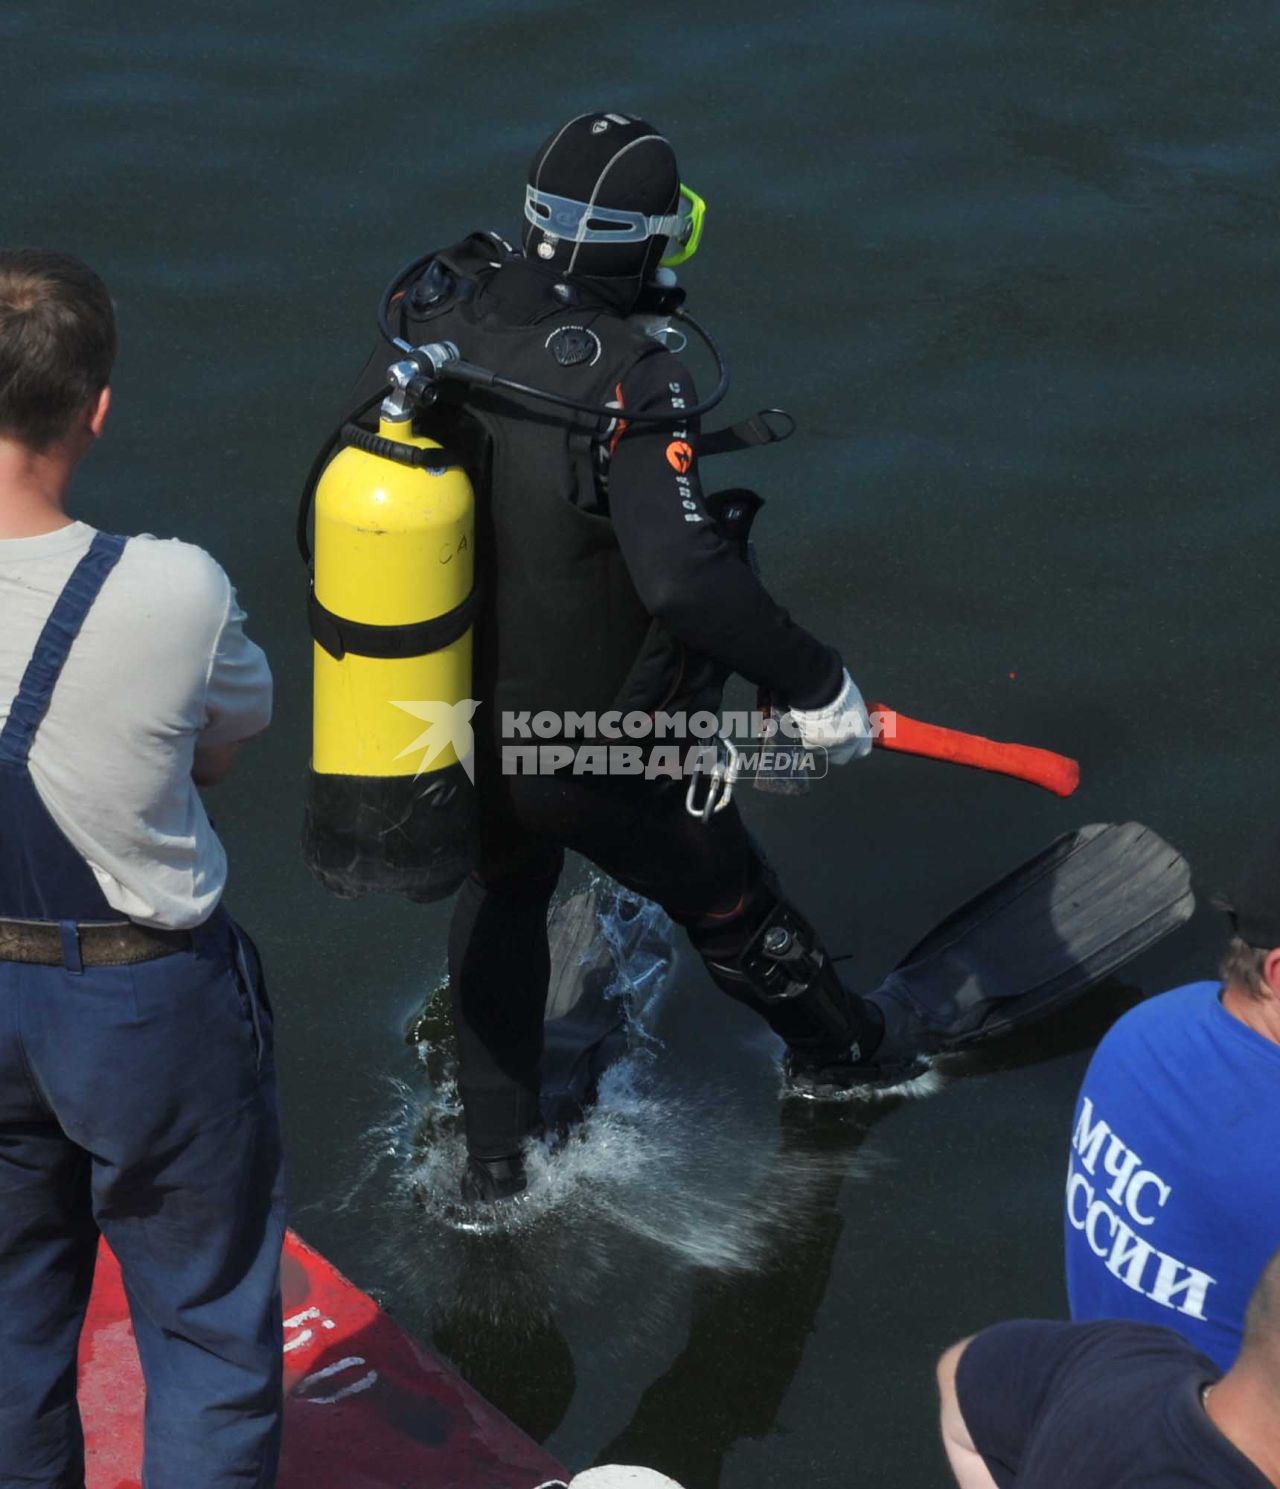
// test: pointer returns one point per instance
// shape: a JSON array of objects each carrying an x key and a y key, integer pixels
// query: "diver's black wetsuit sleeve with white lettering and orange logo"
[{"x": 684, "y": 571}]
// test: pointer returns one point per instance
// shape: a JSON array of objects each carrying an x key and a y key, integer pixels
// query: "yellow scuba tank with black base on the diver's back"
[{"x": 391, "y": 802}]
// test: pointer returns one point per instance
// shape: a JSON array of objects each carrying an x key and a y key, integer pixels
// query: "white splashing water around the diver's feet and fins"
[{"x": 666, "y": 1165}]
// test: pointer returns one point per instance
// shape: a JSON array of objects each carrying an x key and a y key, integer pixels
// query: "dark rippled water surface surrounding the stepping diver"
[{"x": 1014, "y": 267}]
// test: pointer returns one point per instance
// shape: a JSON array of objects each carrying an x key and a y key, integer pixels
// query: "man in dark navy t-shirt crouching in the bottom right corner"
[{"x": 1035, "y": 1405}]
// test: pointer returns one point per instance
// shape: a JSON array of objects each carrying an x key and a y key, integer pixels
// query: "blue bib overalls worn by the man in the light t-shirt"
[{"x": 138, "y": 1103}]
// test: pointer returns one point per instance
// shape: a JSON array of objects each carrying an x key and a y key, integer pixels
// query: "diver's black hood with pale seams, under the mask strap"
[{"x": 609, "y": 160}]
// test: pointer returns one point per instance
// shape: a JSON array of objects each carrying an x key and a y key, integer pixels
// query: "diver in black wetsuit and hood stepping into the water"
[{"x": 608, "y": 580}]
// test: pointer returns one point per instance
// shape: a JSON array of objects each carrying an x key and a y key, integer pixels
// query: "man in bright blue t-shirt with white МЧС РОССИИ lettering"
[{"x": 1174, "y": 1190}]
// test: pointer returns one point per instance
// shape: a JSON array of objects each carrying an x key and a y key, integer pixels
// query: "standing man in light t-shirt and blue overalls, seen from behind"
[{"x": 138, "y": 1091}]
